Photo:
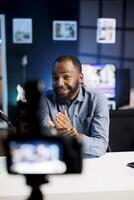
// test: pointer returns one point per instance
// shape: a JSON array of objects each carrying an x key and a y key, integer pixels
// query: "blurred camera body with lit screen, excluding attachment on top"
[{"x": 29, "y": 154}]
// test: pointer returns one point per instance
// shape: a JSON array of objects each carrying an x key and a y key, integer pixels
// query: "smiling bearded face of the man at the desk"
[{"x": 66, "y": 79}]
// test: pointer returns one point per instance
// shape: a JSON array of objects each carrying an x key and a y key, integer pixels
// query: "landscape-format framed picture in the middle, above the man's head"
[{"x": 64, "y": 30}]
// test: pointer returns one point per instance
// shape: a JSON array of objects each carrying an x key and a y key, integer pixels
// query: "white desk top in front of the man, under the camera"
[{"x": 105, "y": 178}]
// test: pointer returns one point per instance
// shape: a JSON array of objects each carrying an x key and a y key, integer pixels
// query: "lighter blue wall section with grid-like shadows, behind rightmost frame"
[{"x": 121, "y": 53}]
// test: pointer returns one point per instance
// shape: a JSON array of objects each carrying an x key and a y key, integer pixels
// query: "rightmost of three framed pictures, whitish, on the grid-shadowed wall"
[{"x": 106, "y": 30}]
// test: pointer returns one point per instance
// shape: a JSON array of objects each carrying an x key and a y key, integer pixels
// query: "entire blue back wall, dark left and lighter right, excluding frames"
[{"x": 44, "y": 50}]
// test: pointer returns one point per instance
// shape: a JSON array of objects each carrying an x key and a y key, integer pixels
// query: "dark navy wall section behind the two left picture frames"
[{"x": 43, "y": 50}]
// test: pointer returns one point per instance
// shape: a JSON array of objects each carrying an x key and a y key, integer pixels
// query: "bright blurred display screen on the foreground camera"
[{"x": 36, "y": 157}]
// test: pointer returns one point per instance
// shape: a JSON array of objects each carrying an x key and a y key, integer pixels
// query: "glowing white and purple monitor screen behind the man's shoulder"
[{"x": 100, "y": 77}]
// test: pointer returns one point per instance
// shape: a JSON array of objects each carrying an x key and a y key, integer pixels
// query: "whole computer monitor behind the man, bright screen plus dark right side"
[{"x": 113, "y": 82}]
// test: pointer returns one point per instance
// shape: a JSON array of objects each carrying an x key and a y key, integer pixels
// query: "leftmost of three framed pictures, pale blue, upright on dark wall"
[{"x": 22, "y": 30}]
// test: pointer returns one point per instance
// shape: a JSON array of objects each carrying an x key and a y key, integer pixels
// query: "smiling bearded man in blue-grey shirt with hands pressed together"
[{"x": 74, "y": 109}]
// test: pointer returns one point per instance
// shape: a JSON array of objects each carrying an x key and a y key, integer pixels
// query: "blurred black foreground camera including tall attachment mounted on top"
[{"x": 35, "y": 150}]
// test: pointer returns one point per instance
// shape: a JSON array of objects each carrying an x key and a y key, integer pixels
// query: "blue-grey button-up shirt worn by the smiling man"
[{"x": 89, "y": 114}]
